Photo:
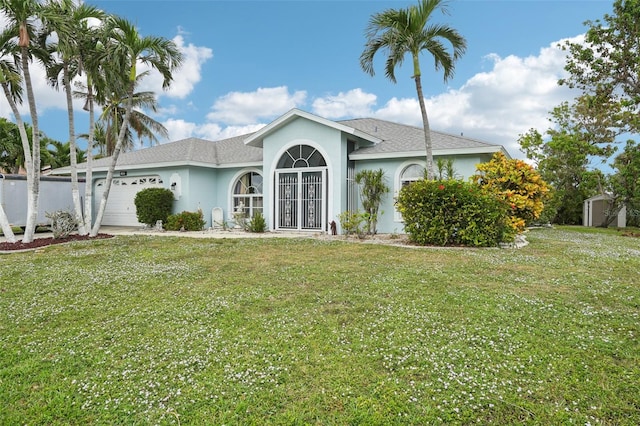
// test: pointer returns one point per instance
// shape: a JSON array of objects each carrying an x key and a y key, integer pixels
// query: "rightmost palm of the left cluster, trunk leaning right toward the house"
[{"x": 124, "y": 49}]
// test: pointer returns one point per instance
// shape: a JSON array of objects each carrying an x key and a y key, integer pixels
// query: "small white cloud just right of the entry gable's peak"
[{"x": 354, "y": 102}]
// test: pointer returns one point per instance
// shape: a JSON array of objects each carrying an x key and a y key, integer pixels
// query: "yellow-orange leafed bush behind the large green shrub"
[{"x": 518, "y": 184}]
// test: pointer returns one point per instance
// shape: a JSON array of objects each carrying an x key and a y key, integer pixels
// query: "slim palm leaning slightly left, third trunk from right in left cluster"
[{"x": 68, "y": 20}]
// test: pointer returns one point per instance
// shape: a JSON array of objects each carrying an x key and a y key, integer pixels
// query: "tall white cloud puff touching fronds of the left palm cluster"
[{"x": 186, "y": 77}]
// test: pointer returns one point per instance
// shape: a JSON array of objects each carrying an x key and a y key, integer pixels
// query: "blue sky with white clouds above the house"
[{"x": 247, "y": 62}]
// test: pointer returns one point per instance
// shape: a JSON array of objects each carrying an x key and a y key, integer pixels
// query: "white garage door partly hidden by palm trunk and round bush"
[{"x": 121, "y": 208}]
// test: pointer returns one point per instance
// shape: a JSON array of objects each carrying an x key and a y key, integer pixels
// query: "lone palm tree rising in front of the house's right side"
[{"x": 398, "y": 32}]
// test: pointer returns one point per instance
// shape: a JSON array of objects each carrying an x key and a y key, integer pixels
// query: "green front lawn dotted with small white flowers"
[{"x": 166, "y": 330}]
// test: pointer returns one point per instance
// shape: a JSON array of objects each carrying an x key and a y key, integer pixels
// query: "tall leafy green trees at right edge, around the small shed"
[{"x": 588, "y": 132}]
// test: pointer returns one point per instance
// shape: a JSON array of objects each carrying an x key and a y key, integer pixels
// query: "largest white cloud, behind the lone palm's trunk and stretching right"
[{"x": 498, "y": 105}]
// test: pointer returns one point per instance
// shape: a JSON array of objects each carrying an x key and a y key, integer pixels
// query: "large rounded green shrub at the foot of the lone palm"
[{"x": 453, "y": 213}]
